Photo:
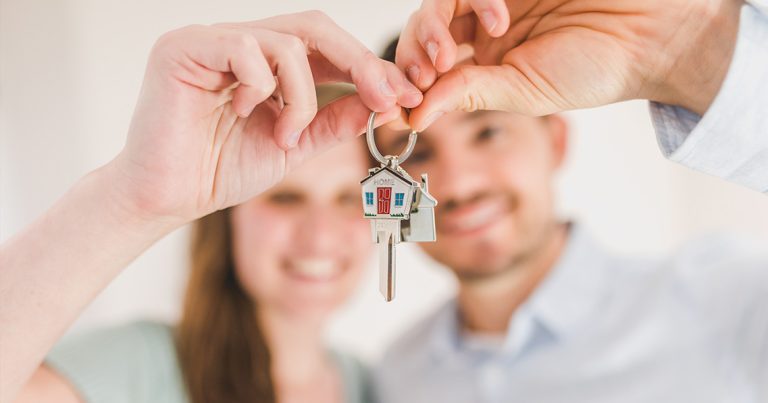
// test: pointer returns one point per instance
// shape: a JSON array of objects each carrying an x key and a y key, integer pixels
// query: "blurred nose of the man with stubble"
[{"x": 458, "y": 176}]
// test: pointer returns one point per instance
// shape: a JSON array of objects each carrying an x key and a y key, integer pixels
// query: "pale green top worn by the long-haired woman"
[{"x": 137, "y": 363}]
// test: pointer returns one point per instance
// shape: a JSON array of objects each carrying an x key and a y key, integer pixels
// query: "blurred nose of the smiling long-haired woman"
[{"x": 318, "y": 231}]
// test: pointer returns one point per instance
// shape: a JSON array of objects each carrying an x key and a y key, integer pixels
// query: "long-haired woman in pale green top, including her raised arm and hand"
[{"x": 212, "y": 129}]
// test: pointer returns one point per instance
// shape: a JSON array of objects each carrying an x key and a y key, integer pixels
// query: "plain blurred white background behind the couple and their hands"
[{"x": 70, "y": 72}]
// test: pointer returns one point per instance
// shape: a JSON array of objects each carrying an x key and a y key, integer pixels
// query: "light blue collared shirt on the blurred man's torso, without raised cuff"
[{"x": 689, "y": 328}]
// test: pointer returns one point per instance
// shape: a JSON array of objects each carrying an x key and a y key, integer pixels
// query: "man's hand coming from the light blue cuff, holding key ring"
[{"x": 540, "y": 57}]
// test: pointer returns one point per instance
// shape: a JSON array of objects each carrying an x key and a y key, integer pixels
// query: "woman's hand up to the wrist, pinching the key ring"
[{"x": 226, "y": 110}]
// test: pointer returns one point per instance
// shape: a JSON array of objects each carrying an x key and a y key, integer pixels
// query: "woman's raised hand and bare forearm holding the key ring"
[{"x": 212, "y": 128}]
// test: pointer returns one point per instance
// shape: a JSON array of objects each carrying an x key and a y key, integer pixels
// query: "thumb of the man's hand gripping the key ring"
[{"x": 471, "y": 88}]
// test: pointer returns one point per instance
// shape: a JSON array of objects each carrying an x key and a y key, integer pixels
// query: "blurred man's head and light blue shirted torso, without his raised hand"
[{"x": 543, "y": 313}]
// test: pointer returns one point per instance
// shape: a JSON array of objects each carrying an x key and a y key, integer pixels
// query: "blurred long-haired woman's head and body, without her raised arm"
[{"x": 265, "y": 276}]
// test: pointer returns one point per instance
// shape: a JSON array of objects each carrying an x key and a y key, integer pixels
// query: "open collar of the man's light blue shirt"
[{"x": 570, "y": 293}]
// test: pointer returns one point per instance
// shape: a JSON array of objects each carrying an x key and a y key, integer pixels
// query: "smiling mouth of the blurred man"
[{"x": 472, "y": 219}]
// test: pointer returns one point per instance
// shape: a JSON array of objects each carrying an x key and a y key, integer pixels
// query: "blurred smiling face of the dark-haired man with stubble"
[{"x": 491, "y": 173}]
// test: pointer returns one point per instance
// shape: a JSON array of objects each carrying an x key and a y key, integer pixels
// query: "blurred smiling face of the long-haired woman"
[{"x": 300, "y": 247}]
